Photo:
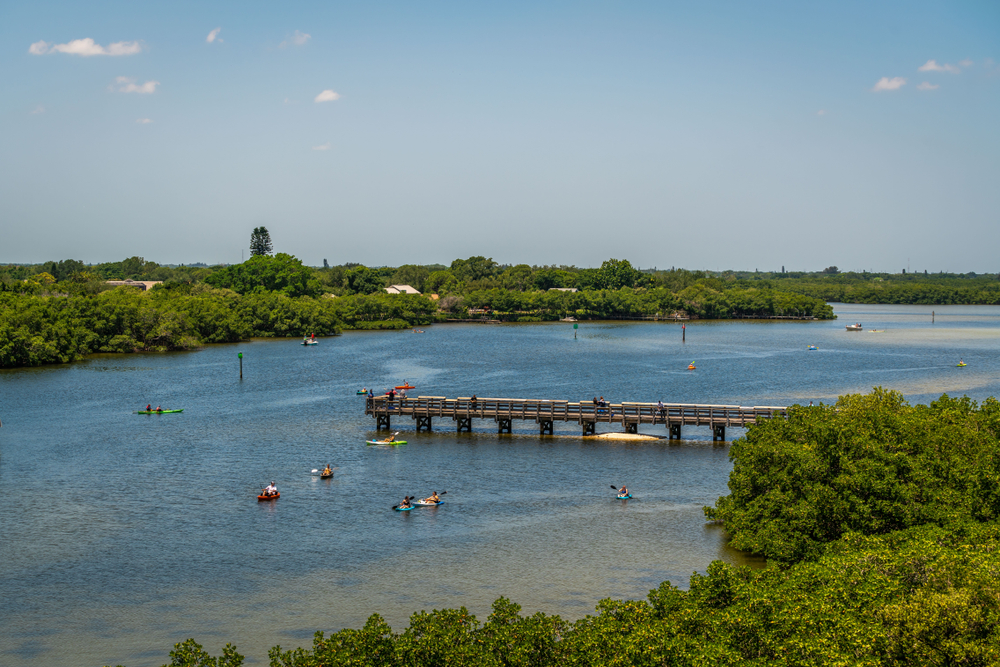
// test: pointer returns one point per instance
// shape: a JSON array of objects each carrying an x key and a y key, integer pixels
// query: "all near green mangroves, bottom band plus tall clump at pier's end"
[{"x": 879, "y": 520}]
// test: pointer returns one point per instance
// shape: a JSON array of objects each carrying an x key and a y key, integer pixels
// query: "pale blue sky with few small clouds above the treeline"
[{"x": 700, "y": 135}]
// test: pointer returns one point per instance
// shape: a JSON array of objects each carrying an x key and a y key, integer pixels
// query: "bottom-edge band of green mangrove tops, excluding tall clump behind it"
[{"x": 926, "y": 596}]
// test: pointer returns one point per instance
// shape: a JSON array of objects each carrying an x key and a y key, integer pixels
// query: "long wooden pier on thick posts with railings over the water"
[{"x": 503, "y": 411}]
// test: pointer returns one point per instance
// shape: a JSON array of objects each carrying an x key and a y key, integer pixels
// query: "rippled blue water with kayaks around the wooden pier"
[{"x": 122, "y": 534}]
